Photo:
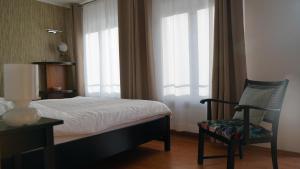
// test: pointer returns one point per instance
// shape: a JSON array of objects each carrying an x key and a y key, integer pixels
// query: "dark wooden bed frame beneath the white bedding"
[{"x": 89, "y": 150}]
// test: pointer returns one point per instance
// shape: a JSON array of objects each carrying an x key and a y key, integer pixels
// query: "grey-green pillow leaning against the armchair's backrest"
[{"x": 254, "y": 96}]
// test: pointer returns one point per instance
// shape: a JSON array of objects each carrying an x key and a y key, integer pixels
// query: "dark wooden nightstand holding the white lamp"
[{"x": 15, "y": 140}]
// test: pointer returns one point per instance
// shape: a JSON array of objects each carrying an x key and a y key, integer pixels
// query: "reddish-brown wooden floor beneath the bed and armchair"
[{"x": 183, "y": 156}]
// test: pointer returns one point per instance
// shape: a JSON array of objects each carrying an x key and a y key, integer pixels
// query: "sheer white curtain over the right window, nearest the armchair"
[{"x": 182, "y": 35}]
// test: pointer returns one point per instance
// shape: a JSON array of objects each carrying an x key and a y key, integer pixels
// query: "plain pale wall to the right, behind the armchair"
[{"x": 273, "y": 53}]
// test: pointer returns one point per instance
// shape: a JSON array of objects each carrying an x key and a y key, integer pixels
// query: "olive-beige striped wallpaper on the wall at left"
[{"x": 23, "y": 38}]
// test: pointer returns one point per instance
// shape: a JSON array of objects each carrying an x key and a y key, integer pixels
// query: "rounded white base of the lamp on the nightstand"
[{"x": 21, "y": 116}]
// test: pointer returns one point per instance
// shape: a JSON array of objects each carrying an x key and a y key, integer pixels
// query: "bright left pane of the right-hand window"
[{"x": 175, "y": 53}]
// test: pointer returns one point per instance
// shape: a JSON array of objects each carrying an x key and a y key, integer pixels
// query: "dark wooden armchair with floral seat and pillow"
[{"x": 240, "y": 132}]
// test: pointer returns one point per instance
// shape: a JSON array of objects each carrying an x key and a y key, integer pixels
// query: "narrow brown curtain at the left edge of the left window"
[{"x": 77, "y": 41}]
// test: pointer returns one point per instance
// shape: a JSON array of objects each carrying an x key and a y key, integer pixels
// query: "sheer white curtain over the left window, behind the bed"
[{"x": 101, "y": 48}]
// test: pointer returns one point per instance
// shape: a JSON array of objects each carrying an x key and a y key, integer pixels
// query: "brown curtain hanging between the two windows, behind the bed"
[{"x": 135, "y": 49}]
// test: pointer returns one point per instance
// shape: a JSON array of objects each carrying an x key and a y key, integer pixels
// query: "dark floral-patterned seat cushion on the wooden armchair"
[{"x": 233, "y": 129}]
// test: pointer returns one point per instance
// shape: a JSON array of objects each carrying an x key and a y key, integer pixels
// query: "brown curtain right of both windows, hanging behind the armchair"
[{"x": 229, "y": 65}]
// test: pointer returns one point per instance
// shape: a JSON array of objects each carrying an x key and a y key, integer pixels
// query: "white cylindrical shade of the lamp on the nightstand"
[{"x": 20, "y": 82}]
